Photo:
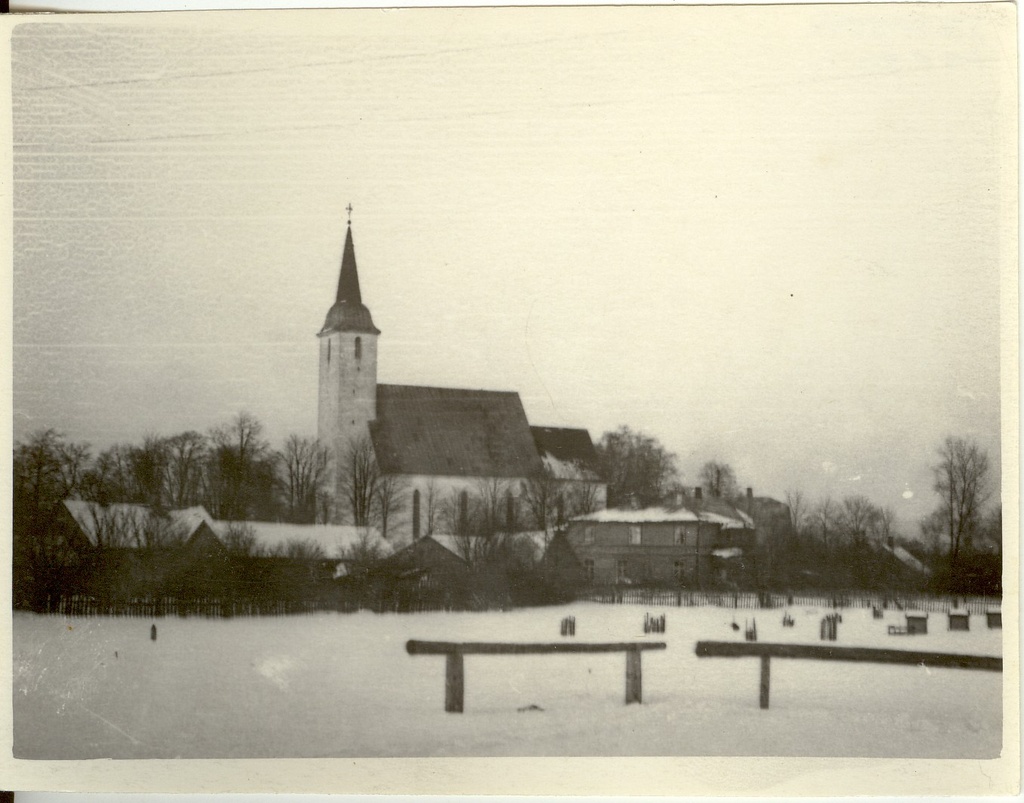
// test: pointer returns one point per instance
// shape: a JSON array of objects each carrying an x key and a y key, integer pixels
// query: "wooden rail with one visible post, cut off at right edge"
[{"x": 871, "y": 655}]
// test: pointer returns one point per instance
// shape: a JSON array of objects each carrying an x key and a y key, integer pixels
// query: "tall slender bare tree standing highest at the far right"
[{"x": 961, "y": 482}]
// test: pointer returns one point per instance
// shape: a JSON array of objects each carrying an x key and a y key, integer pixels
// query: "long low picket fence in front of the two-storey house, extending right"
[{"x": 749, "y": 600}]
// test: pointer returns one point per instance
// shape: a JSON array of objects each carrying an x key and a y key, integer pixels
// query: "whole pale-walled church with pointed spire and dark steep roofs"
[{"x": 443, "y": 449}]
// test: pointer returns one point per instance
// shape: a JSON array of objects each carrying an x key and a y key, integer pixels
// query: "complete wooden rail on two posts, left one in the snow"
[{"x": 455, "y": 671}]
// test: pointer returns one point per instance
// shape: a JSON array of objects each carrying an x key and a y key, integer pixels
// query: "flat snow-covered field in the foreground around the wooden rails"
[{"x": 333, "y": 685}]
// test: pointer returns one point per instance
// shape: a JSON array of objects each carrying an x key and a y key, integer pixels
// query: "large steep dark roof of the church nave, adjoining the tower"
[{"x": 452, "y": 433}]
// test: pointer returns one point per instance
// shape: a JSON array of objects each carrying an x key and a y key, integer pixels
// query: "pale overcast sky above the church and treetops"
[{"x": 772, "y": 236}]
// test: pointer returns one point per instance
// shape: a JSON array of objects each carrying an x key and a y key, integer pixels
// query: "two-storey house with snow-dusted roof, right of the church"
[{"x": 693, "y": 542}]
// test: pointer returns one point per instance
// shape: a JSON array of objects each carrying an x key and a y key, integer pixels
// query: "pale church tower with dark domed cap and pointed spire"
[{"x": 348, "y": 366}]
